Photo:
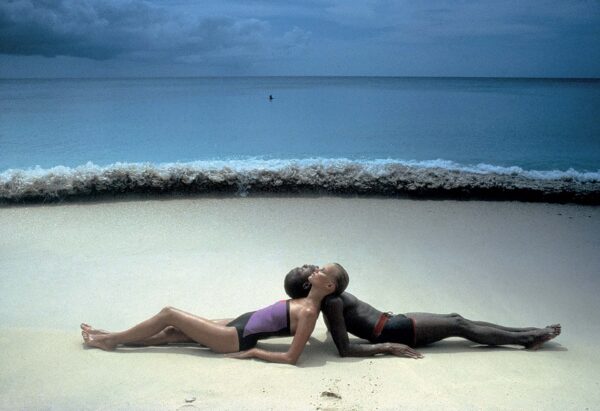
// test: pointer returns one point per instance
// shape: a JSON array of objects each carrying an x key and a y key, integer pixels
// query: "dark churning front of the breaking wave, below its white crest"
[{"x": 400, "y": 181}]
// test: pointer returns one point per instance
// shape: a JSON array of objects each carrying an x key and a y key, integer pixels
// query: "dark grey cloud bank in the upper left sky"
[{"x": 139, "y": 30}]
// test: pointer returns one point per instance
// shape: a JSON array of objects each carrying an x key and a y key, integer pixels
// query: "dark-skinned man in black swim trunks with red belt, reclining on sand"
[{"x": 399, "y": 334}]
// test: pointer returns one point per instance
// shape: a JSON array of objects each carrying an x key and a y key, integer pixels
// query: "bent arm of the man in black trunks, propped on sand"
[{"x": 333, "y": 309}]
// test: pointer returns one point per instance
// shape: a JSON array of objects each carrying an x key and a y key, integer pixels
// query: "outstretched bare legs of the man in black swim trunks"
[{"x": 430, "y": 328}]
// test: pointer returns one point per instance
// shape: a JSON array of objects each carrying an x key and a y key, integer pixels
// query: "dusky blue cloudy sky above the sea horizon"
[{"x": 152, "y": 38}]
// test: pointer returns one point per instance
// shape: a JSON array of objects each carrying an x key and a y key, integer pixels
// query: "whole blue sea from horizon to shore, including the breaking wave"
[{"x": 533, "y": 139}]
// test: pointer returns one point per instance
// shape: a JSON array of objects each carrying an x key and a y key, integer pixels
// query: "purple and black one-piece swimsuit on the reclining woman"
[{"x": 271, "y": 321}]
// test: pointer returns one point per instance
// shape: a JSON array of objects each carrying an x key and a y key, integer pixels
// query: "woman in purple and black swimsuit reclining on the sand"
[{"x": 295, "y": 317}]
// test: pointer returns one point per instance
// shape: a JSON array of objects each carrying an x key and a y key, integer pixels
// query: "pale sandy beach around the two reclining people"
[{"x": 115, "y": 264}]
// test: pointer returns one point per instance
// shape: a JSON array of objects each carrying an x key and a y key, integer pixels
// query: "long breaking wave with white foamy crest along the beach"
[{"x": 423, "y": 179}]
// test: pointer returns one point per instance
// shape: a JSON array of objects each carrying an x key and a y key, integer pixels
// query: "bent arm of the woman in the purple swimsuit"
[{"x": 307, "y": 320}]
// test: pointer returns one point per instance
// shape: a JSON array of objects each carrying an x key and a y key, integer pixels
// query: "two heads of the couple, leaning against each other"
[{"x": 332, "y": 277}]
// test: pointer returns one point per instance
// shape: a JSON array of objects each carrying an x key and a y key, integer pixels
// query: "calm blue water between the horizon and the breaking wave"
[{"x": 532, "y": 124}]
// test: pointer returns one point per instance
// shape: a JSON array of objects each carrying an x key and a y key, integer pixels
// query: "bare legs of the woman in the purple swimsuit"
[{"x": 216, "y": 336}]
